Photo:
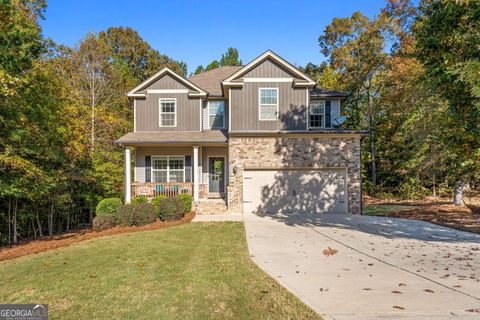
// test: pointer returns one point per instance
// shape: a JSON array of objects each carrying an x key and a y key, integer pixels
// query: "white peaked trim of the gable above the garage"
[{"x": 274, "y": 57}]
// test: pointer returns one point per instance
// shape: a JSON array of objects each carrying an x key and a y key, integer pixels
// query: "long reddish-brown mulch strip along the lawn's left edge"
[{"x": 49, "y": 243}]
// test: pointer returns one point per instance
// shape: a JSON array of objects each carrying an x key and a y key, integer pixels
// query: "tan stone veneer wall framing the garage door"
[{"x": 295, "y": 152}]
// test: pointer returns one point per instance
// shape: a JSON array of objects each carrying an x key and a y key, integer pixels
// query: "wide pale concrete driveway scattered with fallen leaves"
[{"x": 384, "y": 268}]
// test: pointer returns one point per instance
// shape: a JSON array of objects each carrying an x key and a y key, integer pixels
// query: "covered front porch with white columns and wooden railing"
[{"x": 171, "y": 170}]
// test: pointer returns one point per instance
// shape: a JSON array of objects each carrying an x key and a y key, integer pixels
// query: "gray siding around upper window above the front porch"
[{"x": 147, "y": 113}]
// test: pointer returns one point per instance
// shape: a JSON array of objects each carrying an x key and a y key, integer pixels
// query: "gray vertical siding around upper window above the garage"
[{"x": 245, "y": 107}]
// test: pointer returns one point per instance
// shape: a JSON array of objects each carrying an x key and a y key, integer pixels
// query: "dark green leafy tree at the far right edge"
[{"x": 447, "y": 36}]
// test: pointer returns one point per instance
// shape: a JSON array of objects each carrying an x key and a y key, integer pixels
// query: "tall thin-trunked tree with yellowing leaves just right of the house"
[{"x": 355, "y": 48}]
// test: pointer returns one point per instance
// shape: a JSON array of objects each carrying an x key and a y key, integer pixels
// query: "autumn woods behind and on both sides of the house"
[{"x": 412, "y": 73}]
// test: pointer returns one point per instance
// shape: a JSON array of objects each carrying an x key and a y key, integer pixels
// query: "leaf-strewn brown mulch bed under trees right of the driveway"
[{"x": 437, "y": 211}]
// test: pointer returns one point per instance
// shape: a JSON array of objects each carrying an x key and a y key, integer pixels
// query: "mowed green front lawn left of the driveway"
[{"x": 193, "y": 271}]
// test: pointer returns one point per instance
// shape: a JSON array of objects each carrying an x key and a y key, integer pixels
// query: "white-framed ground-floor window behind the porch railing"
[{"x": 168, "y": 169}]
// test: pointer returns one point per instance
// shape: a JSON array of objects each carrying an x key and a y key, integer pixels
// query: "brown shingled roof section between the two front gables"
[{"x": 211, "y": 81}]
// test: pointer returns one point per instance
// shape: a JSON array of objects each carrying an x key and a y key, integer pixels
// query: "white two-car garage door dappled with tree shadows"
[{"x": 295, "y": 191}]
